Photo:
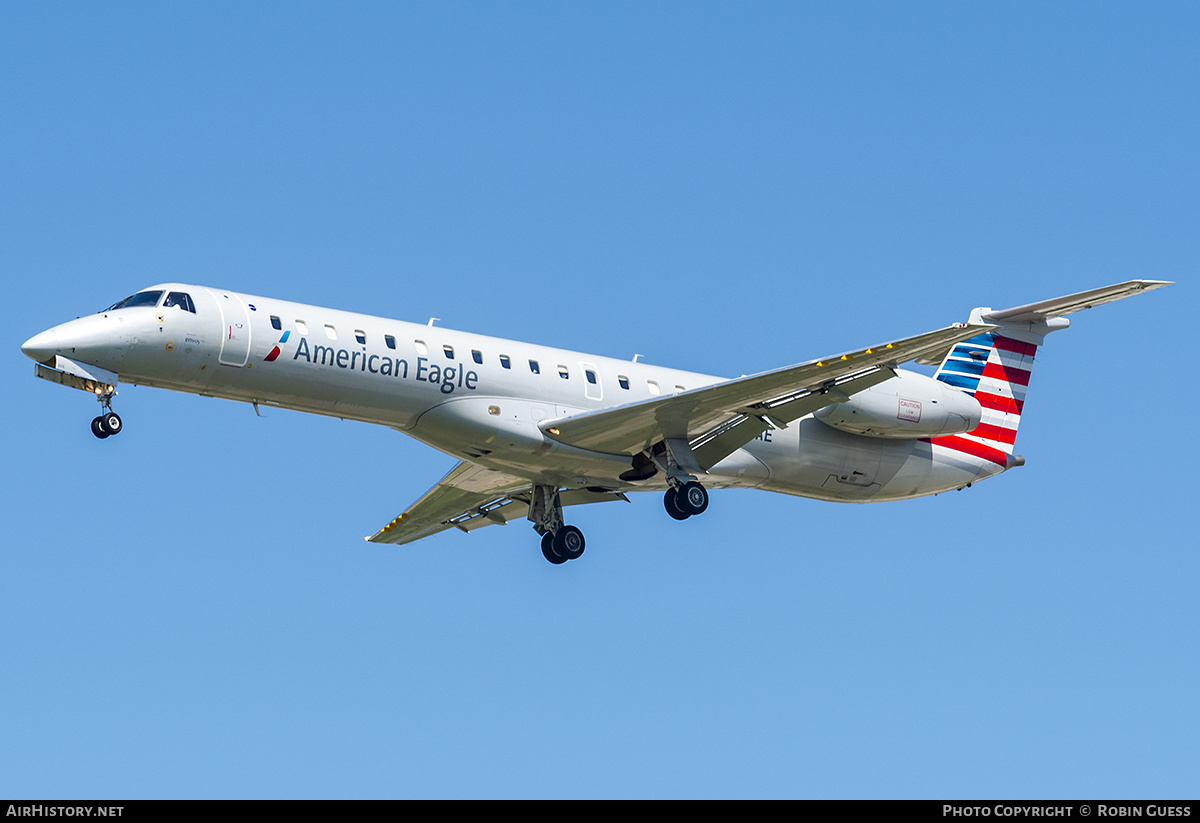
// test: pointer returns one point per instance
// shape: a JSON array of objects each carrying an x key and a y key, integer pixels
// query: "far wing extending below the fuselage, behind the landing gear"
[{"x": 471, "y": 497}]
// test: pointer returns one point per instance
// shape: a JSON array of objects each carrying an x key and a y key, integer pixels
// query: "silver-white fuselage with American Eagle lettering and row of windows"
[{"x": 482, "y": 399}]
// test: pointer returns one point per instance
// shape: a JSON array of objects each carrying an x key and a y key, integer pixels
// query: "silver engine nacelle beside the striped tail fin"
[{"x": 909, "y": 406}]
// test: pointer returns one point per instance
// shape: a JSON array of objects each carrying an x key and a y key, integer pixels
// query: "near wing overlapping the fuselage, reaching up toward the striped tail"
[{"x": 719, "y": 419}]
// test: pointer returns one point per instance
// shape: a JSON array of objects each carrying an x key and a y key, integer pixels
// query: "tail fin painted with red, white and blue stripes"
[{"x": 995, "y": 370}]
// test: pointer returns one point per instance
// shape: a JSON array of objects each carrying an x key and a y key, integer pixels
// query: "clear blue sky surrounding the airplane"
[{"x": 190, "y": 610}]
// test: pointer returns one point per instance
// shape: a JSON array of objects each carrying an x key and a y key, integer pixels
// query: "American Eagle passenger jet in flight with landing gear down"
[{"x": 538, "y": 429}]
